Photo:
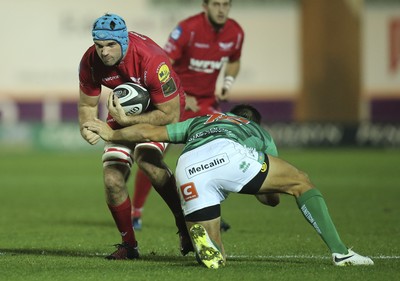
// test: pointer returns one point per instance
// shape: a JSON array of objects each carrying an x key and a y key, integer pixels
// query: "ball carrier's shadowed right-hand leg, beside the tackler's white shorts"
[{"x": 150, "y": 161}]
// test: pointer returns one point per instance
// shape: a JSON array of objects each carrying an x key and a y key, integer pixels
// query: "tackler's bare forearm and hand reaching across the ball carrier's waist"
[{"x": 134, "y": 133}]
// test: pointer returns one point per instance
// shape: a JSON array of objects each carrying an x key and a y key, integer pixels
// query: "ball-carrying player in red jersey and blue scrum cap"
[{"x": 119, "y": 56}]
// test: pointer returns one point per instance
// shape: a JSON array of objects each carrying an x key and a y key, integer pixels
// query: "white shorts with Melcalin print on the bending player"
[{"x": 206, "y": 175}]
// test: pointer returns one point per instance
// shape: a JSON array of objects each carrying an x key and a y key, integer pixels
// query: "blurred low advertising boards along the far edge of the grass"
[{"x": 66, "y": 136}]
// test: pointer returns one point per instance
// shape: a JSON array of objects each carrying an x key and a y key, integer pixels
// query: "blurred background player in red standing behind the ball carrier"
[{"x": 199, "y": 47}]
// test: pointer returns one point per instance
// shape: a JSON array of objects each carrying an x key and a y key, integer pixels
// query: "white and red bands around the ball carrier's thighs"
[{"x": 117, "y": 154}]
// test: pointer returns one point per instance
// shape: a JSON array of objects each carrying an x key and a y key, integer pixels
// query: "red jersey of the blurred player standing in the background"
[{"x": 199, "y": 52}]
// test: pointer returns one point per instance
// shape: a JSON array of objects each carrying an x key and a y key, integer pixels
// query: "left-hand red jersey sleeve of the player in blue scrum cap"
[{"x": 86, "y": 80}]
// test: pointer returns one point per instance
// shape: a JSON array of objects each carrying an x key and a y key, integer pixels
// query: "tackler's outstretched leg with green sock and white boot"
[{"x": 285, "y": 178}]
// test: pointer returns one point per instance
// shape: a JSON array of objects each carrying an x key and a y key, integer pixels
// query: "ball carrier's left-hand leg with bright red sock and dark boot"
[{"x": 116, "y": 168}]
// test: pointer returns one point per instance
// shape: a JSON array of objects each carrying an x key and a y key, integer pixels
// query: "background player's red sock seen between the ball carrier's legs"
[{"x": 141, "y": 191}]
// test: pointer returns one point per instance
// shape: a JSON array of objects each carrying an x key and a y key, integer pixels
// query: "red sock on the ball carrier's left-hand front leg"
[{"x": 122, "y": 218}]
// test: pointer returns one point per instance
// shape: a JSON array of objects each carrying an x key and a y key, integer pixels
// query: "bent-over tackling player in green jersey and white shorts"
[{"x": 231, "y": 153}]
